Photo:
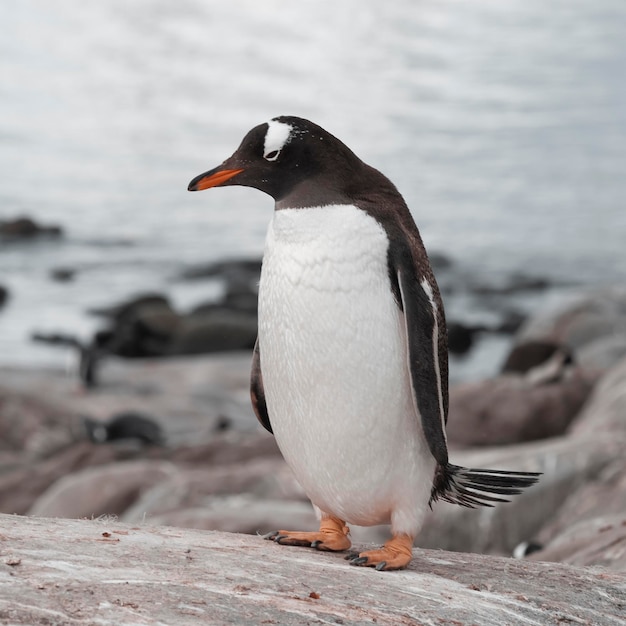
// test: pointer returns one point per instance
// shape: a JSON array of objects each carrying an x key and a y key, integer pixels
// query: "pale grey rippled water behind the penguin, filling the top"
[{"x": 503, "y": 123}]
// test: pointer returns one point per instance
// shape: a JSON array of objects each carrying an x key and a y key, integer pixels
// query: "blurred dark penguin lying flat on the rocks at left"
[{"x": 129, "y": 425}]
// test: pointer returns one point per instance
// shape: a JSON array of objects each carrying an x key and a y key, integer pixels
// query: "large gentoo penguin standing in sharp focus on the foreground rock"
[{"x": 350, "y": 368}]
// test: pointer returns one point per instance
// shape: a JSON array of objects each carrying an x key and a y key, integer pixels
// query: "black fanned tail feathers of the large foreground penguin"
[{"x": 478, "y": 487}]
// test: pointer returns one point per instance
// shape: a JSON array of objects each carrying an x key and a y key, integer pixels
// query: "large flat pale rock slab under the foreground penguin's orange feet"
[{"x": 102, "y": 572}]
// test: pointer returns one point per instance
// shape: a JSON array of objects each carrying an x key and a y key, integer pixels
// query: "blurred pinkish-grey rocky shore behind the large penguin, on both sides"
[{"x": 175, "y": 442}]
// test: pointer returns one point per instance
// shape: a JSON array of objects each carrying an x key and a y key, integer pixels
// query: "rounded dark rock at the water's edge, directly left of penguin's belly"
[{"x": 214, "y": 331}]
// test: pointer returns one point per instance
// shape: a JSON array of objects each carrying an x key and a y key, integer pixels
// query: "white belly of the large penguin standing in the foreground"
[{"x": 334, "y": 363}]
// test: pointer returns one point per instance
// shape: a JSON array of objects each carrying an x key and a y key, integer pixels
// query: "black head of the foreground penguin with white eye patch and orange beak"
[{"x": 286, "y": 155}]
